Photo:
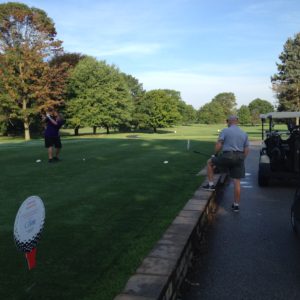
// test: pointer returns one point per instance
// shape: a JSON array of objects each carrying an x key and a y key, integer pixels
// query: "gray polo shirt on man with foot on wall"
[{"x": 233, "y": 139}]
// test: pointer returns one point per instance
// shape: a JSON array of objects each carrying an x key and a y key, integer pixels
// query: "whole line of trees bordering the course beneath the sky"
[{"x": 36, "y": 73}]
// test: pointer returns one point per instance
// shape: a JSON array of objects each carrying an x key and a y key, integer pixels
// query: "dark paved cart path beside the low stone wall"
[{"x": 252, "y": 254}]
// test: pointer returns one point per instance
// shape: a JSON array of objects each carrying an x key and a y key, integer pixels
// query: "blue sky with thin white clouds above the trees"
[{"x": 198, "y": 47}]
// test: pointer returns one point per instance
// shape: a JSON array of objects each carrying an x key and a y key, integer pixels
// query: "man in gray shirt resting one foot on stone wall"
[{"x": 234, "y": 144}]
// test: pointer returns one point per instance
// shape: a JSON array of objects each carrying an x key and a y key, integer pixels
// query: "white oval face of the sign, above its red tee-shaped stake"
[{"x": 29, "y": 223}]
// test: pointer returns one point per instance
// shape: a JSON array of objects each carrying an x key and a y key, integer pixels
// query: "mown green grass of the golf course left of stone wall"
[{"x": 107, "y": 203}]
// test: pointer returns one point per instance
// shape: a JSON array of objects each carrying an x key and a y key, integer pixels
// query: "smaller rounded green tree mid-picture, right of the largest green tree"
[{"x": 159, "y": 109}]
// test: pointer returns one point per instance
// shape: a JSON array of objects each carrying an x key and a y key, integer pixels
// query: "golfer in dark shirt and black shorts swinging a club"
[{"x": 52, "y": 138}]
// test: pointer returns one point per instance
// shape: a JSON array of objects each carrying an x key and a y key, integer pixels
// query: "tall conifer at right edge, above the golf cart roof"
[{"x": 286, "y": 83}]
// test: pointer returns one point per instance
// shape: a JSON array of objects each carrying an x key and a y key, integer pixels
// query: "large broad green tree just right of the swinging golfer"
[{"x": 99, "y": 96}]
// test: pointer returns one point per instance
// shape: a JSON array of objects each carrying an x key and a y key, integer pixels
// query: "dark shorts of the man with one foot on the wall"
[{"x": 231, "y": 161}]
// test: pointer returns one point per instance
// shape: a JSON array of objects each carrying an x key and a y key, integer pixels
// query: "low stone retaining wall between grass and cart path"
[{"x": 163, "y": 271}]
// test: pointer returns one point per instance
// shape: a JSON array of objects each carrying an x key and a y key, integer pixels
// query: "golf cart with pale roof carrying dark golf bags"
[{"x": 280, "y": 152}]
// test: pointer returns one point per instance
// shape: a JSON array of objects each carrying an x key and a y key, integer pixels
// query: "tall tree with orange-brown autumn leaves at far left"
[{"x": 27, "y": 83}]
